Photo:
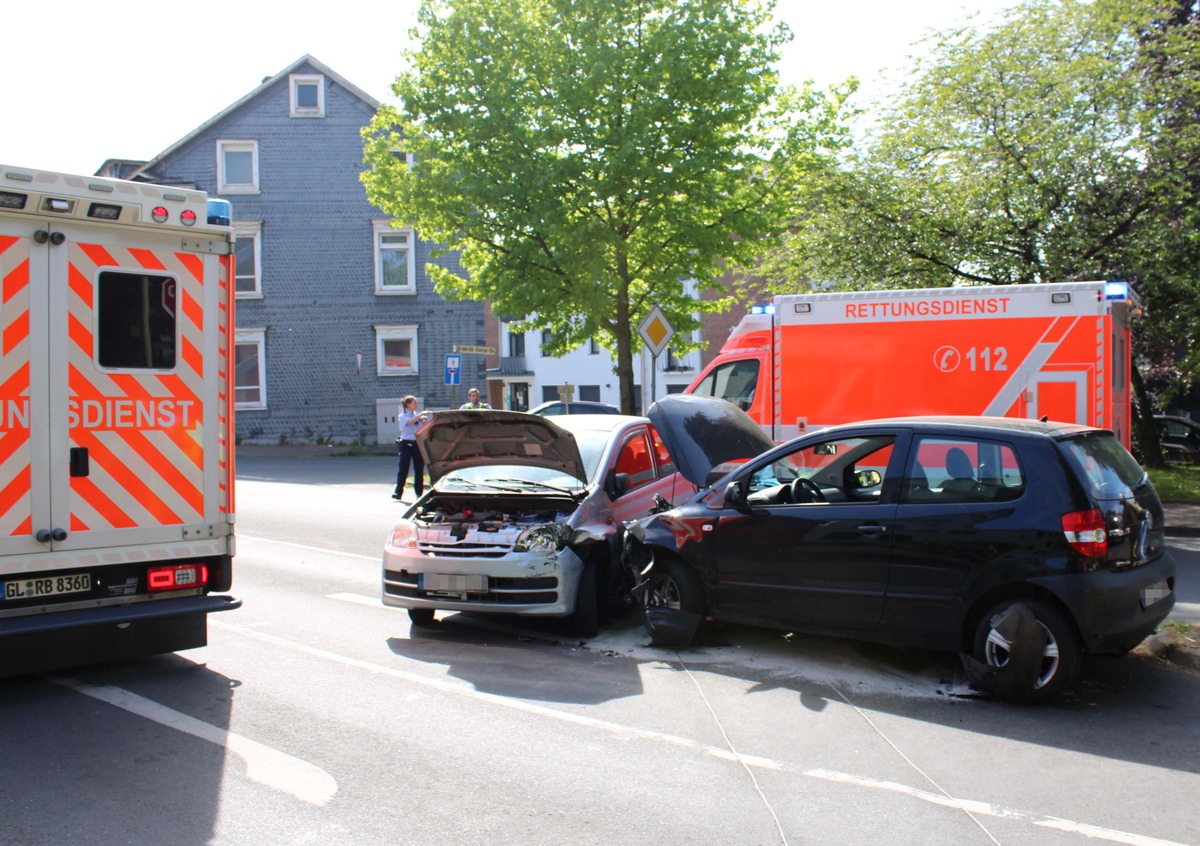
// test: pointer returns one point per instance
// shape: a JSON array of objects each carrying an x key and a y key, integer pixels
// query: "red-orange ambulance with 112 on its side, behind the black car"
[{"x": 1058, "y": 351}]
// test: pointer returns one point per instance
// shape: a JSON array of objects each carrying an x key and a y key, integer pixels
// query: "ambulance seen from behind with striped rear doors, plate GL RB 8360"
[{"x": 116, "y": 418}]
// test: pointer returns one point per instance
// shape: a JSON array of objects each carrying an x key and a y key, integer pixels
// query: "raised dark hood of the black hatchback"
[{"x": 703, "y": 433}]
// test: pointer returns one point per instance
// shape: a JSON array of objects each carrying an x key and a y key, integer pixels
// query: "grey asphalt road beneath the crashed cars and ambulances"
[{"x": 316, "y": 716}]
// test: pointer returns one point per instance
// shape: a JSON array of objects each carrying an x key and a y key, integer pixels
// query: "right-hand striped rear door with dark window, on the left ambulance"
[{"x": 134, "y": 445}]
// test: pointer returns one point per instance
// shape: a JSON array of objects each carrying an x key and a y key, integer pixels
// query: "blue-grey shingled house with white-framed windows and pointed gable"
[{"x": 337, "y": 316}]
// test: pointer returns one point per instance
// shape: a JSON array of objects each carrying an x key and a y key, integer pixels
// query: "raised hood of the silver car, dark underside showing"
[{"x": 453, "y": 441}]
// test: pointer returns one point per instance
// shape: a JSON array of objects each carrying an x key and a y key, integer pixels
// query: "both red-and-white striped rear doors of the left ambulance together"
[{"x": 107, "y": 440}]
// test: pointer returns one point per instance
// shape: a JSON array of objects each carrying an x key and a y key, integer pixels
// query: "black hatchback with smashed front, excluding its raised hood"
[{"x": 923, "y": 532}]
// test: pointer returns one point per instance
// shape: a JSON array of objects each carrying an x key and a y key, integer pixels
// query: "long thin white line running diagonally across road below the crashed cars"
[{"x": 465, "y": 691}]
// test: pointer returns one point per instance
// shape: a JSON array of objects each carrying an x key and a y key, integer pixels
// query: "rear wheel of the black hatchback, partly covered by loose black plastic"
[{"x": 1061, "y": 659}]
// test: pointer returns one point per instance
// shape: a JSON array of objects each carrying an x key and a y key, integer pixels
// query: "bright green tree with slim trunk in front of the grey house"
[{"x": 587, "y": 157}]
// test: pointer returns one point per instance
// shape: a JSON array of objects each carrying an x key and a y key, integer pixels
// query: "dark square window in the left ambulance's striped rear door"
[{"x": 136, "y": 321}]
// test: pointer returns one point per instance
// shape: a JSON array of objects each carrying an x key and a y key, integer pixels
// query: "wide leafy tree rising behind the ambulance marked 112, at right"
[{"x": 1058, "y": 145}]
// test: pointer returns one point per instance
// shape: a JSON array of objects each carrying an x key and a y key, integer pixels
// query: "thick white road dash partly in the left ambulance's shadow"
[{"x": 265, "y": 765}]
